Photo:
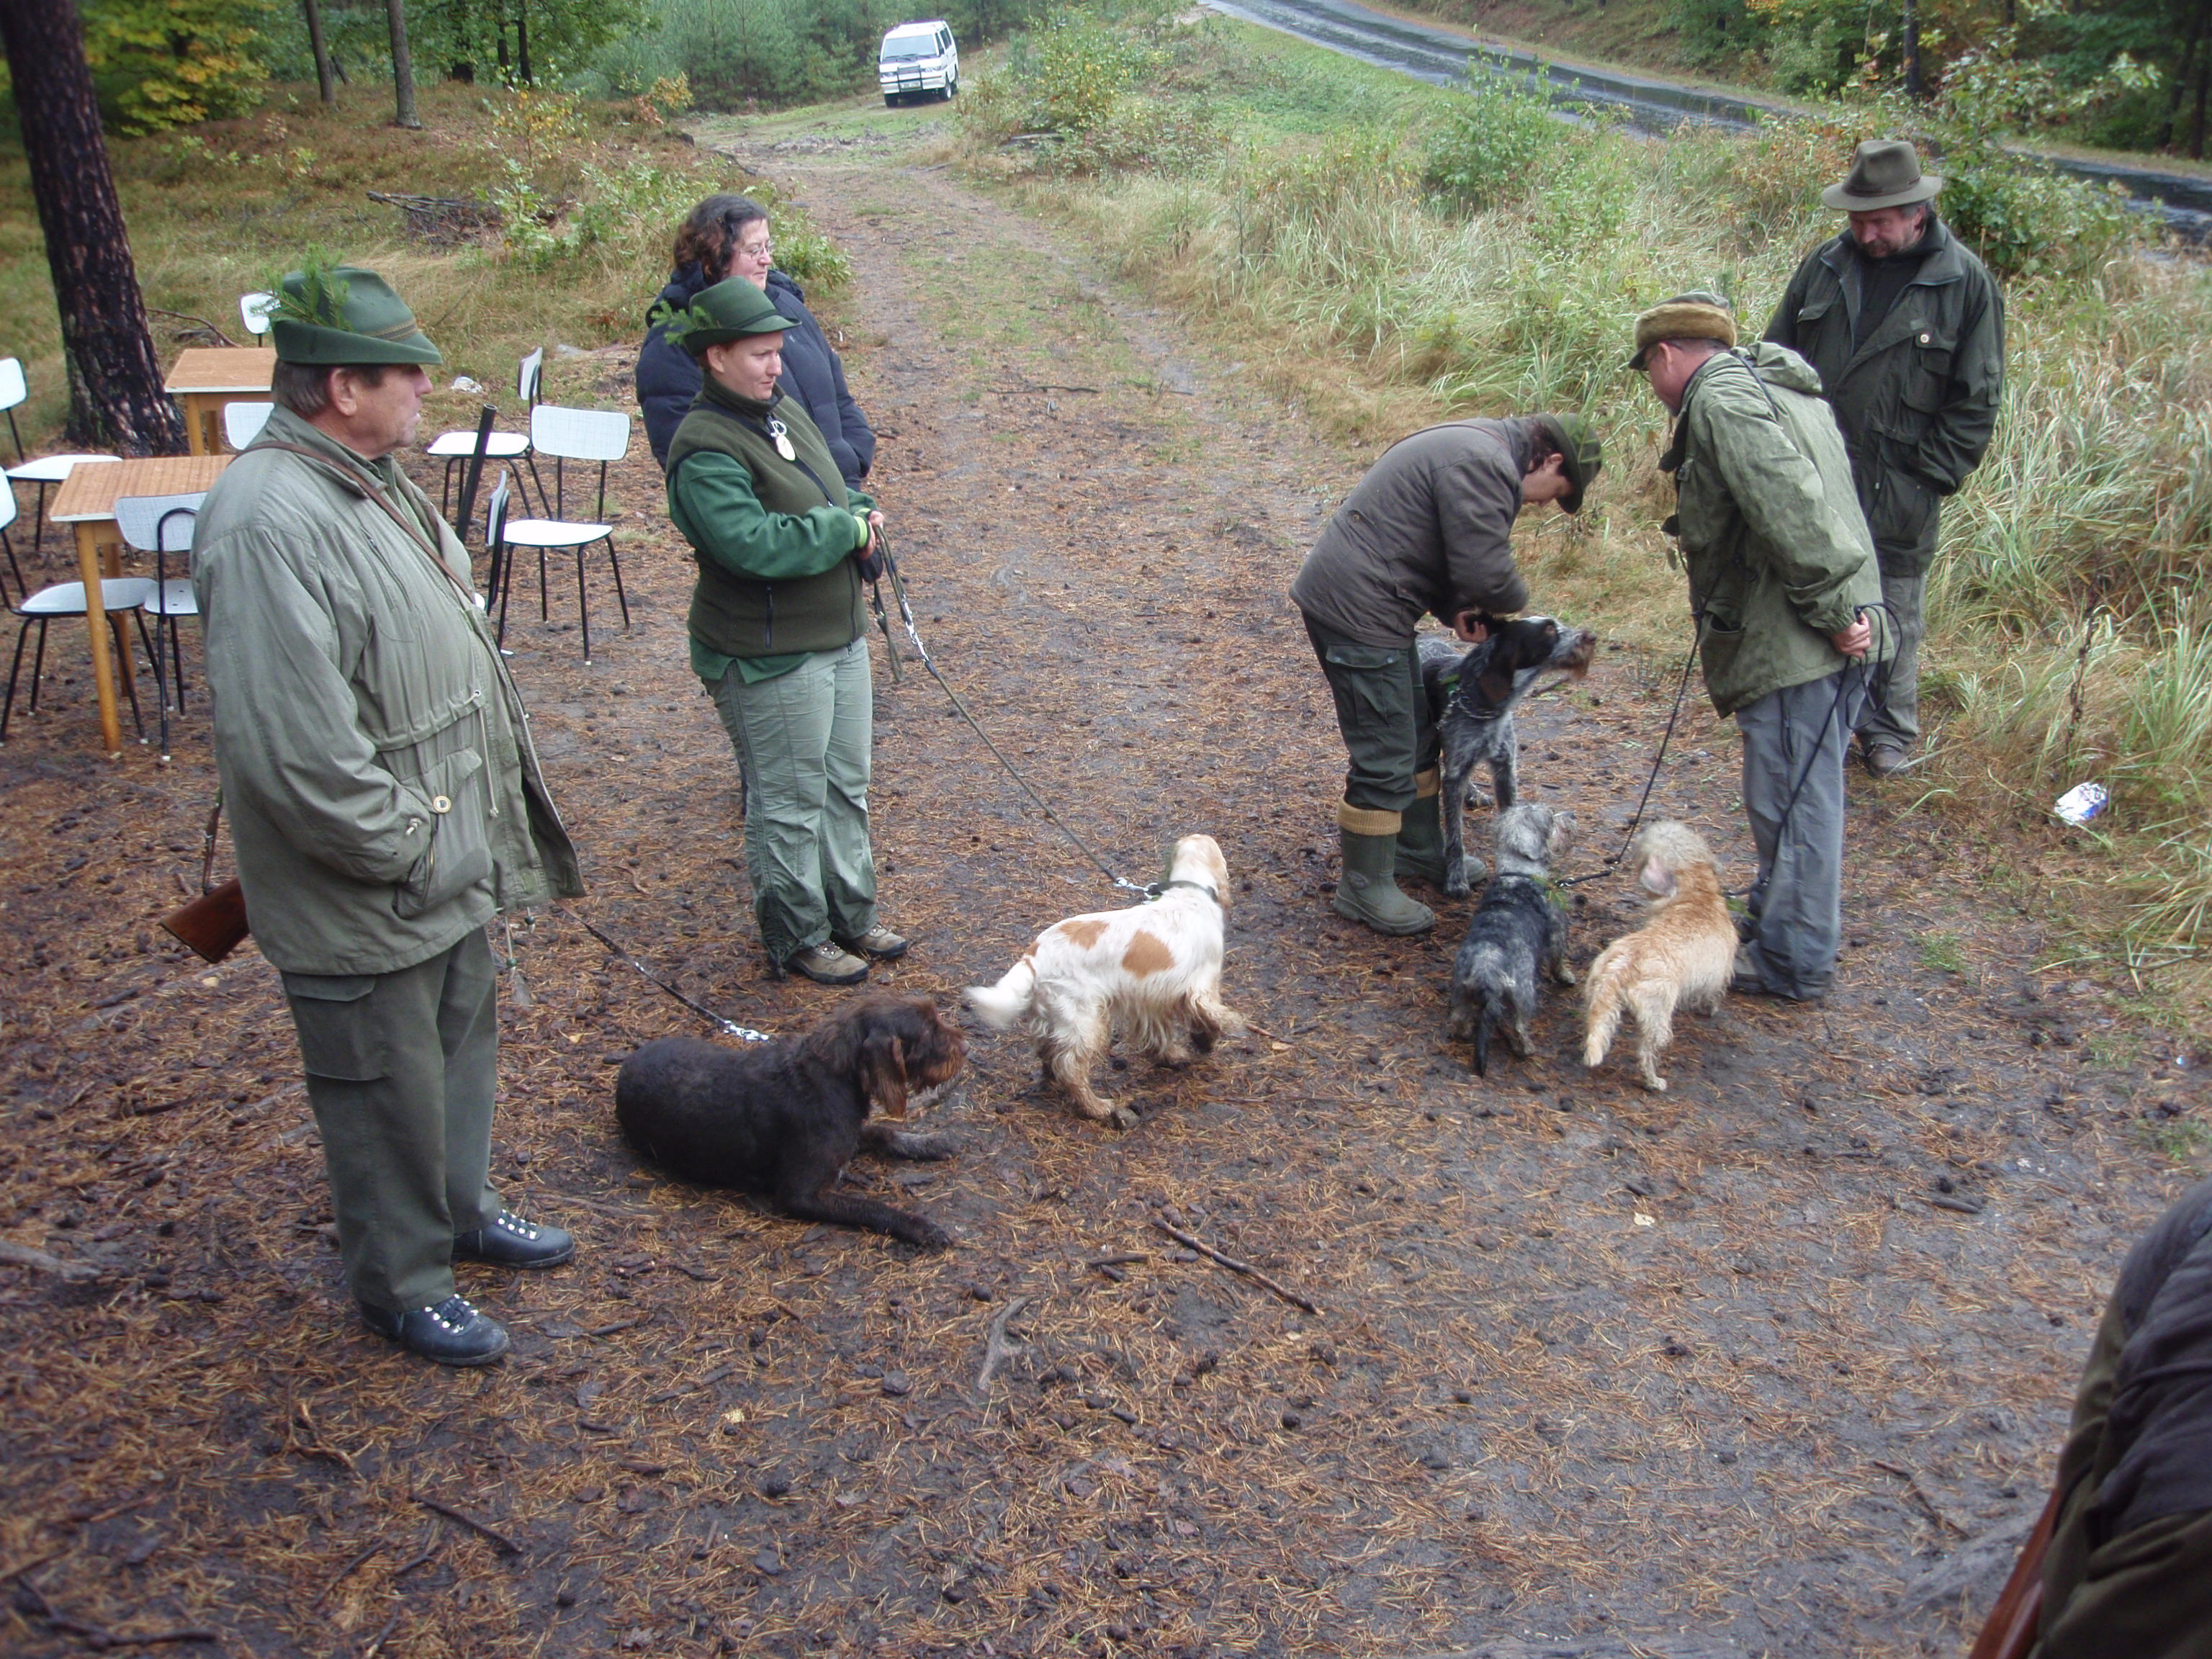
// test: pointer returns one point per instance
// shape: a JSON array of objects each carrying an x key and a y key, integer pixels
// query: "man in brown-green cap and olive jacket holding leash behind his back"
[{"x": 1782, "y": 581}]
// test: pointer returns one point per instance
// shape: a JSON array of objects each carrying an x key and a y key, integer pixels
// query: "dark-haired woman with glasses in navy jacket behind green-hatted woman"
[{"x": 729, "y": 238}]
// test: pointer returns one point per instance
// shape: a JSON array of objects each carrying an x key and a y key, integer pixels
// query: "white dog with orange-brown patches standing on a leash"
[{"x": 1151, "y": 970}]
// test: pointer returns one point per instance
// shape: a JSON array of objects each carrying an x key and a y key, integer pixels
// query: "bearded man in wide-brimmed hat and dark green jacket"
[{"x": 1906, "y": 328}]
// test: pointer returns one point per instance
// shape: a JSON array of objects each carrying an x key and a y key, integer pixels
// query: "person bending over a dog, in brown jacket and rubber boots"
[{"x": 1426, "y": 532}]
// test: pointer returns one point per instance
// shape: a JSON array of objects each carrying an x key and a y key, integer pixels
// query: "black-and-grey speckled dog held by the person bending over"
[{"x": 1472, "y": 702}]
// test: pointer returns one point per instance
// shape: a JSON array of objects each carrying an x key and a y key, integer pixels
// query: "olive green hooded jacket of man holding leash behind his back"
[{"x": 1771, "y": 530}]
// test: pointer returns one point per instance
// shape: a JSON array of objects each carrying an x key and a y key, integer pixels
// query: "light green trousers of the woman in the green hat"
[{"x": 806, "y": 744}]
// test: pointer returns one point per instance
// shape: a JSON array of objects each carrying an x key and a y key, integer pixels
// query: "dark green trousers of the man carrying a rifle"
[{"x": 401, "y": 1076}]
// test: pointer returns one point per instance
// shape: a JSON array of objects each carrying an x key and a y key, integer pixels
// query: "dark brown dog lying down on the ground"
[{"x": 784, "y": 1118}]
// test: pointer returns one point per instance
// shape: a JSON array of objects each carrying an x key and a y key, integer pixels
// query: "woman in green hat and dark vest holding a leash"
[{"x": 780, "y": 632}]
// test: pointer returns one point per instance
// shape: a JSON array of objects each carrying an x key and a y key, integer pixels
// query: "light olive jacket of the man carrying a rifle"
[{"x": 377, "y": 769}]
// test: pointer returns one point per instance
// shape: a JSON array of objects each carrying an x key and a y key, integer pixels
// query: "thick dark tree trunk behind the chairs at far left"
[{"x": 116, "y": 395}]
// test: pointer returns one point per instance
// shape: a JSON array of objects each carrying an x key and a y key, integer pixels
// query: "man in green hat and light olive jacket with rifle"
[{"x": 384, "y": 800}]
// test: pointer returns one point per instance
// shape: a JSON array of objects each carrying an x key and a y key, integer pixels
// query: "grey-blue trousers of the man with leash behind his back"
[{"x": 1797, "y": 901}]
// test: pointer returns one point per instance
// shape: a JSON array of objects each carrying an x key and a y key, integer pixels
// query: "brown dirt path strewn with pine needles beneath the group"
[{"x": 1773, "y": 1364}]
